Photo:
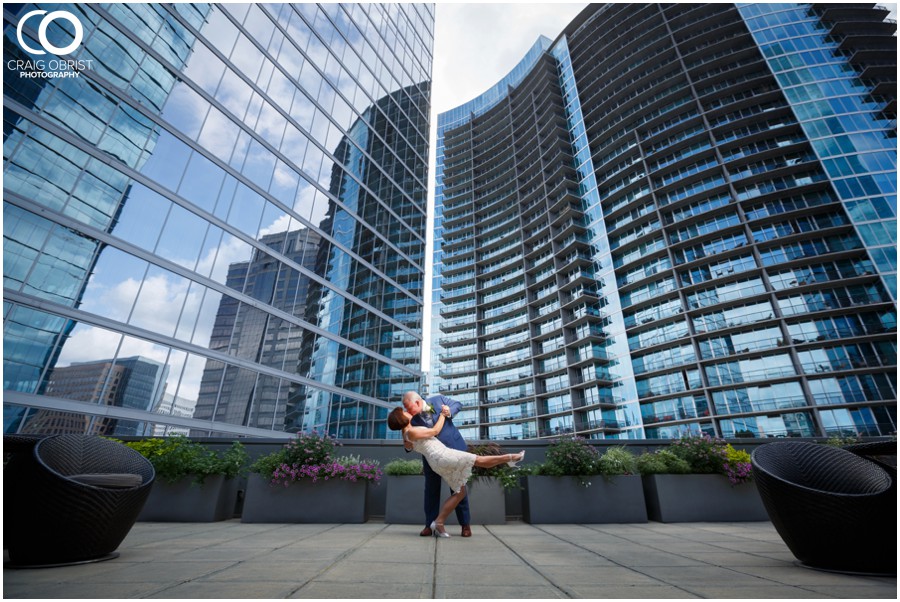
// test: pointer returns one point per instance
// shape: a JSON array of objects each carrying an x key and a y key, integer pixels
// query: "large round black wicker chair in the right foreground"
[{"x": 835, "y": 510}]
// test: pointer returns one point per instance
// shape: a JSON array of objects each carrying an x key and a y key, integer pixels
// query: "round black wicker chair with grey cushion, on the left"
[{"x": 70, "y": 499}]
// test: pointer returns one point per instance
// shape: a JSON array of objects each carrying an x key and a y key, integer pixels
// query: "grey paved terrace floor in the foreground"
[{"x": 516, "y": 561}]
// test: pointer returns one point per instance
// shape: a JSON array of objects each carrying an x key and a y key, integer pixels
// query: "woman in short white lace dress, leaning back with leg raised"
[{"x": 454, "y": 466}]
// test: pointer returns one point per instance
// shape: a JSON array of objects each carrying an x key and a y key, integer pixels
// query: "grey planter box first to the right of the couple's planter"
[{"x": 618, "y": 499}]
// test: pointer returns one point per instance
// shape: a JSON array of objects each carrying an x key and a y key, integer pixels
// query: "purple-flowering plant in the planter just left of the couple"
[{"x": 310, "y": 456}]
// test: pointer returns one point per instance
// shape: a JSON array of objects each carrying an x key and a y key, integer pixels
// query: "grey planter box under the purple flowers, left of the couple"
[{"x": 332, "y": 501}]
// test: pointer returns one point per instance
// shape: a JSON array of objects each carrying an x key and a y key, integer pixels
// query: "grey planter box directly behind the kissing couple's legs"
[{"x": 406, "y": 498}]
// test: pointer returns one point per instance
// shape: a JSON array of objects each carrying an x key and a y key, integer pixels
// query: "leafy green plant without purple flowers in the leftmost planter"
[{"x": 176, "y": 457}]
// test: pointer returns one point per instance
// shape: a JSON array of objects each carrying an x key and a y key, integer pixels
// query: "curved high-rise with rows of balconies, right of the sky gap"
[{"x": 676, "y": 218}]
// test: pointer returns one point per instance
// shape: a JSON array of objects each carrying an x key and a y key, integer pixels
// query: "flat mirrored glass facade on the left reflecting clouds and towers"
[{"x": 214, "y": 216}]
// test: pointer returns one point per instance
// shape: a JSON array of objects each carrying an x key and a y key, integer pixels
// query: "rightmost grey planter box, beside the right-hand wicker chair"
[{"x": 673, "y": 498}]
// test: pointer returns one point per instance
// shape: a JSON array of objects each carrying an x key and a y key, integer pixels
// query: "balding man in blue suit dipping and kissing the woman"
[{"x": 424, "y": 413}]
